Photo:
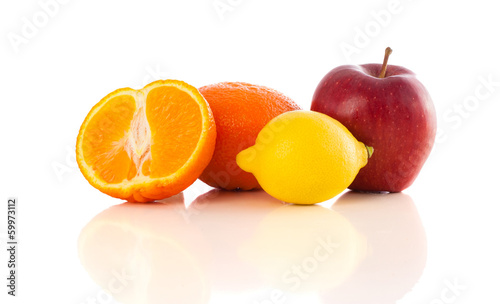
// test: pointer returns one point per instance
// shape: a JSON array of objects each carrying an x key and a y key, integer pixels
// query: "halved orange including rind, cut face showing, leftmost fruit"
[{"x": 148, "y": 144}]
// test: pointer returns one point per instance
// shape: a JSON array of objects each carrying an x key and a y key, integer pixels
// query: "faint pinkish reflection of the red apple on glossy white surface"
[{"x": 396, "y": 248}]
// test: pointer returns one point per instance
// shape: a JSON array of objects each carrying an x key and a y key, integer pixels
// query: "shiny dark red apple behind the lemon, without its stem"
[{"x": 394, "y": 115}]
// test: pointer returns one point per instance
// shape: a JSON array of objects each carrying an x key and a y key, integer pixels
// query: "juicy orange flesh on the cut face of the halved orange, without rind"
[{"x": 127, "y": 139}]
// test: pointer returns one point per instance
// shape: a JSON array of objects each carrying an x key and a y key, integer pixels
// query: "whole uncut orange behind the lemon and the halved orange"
[{"x": 240, "y": 110}]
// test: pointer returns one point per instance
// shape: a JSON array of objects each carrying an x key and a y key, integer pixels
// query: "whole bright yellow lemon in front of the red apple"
[{"x": 304, "y": 157}]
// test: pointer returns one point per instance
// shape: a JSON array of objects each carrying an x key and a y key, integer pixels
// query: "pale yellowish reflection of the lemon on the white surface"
[{"x": 306, "y": 248}]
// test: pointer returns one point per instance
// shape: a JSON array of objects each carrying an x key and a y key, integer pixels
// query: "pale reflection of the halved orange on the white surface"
[{"x": 146, "y": 253}]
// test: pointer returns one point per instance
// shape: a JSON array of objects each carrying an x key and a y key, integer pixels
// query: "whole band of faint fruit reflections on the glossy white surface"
[{"x": 252, "y": 248}]
